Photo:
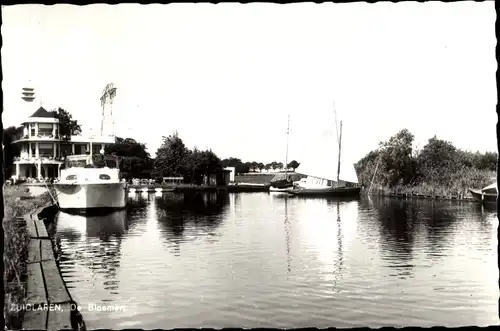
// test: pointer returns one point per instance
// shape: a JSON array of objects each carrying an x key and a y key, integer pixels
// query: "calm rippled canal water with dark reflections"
[{"x": 264, "y": 260}]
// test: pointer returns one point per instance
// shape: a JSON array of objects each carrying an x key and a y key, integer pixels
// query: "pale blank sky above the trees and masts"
[{"x": 226, "y": 76}]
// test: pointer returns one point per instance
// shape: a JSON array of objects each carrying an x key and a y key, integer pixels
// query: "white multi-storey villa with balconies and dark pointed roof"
[{"x": 42, "y": 149}]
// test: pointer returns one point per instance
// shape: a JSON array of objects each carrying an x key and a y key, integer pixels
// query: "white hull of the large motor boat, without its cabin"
[{"x": 91, "y": 196}]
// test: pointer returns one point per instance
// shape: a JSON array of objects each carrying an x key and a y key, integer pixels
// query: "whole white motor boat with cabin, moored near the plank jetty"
[{"x": 85, "y": 188}]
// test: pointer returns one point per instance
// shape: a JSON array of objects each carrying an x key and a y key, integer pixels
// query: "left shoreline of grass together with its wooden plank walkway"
[{"x": 44, "y": 301}]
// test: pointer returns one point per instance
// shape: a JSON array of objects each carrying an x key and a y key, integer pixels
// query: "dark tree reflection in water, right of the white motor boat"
[{"x": 200, "y": 210}]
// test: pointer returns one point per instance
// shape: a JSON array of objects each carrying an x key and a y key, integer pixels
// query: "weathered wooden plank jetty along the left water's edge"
[{"x": 50, "y": 304}]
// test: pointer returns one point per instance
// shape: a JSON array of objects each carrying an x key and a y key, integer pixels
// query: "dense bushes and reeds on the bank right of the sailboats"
[{"x": 438, "y": 169}]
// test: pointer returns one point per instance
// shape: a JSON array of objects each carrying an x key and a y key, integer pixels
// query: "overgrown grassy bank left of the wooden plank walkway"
[{"x": 16, "y": 250}]
